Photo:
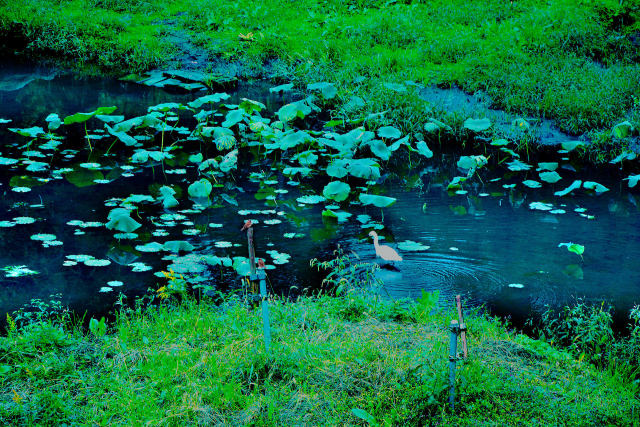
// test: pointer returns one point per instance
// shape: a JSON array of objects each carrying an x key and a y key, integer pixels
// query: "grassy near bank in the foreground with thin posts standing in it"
[{"x": 353, "y": 359}]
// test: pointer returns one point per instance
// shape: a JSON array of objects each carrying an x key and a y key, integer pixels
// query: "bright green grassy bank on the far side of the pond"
[{"x": 576, "y": 62}]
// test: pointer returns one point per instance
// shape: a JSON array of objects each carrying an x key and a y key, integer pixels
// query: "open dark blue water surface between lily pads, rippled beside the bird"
[{"x": 487, "y": 244}]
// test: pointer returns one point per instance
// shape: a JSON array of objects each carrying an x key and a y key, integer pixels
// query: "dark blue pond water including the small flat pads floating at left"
[{"x": 487, "y": 242}]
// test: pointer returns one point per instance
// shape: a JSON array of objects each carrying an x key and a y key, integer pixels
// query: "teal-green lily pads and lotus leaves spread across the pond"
[{"x": 209, "y": 137}]
